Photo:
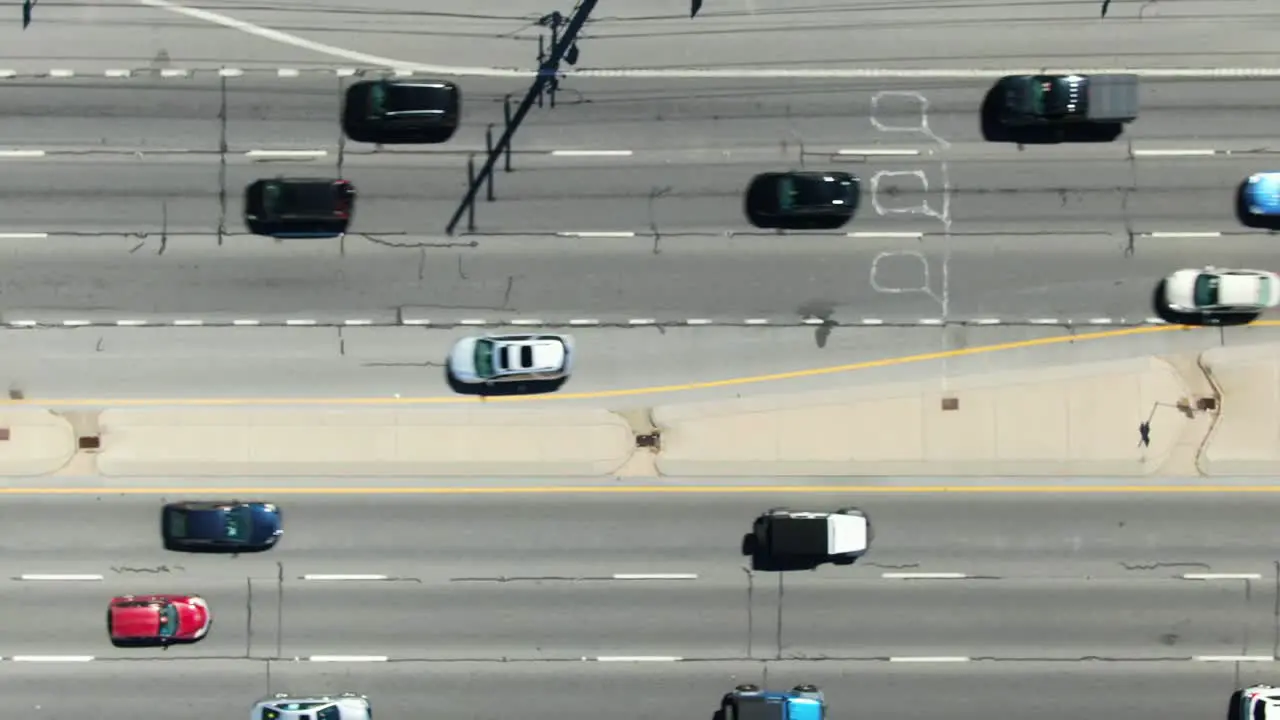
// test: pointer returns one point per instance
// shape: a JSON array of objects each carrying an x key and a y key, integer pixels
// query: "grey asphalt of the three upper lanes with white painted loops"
[{"x": 1041, "y": 233}]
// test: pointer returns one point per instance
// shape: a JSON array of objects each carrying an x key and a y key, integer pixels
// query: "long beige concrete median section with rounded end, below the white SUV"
[{"x": 280, "y": 443}]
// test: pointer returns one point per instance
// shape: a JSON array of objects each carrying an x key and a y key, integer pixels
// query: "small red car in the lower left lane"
[{"x": 158, "y": 619}]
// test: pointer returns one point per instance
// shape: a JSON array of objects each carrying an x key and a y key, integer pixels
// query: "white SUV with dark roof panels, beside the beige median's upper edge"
[{"x": 511, "y": 358}]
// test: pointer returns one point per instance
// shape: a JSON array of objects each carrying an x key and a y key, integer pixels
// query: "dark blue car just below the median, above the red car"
[{"x": 221, "y": 527}]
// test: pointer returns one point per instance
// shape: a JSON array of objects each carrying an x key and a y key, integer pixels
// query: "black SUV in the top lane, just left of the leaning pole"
[{"x": 403, "y": 112}]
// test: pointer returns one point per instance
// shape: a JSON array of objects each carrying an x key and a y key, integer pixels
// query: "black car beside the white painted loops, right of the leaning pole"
[{"x": 802, "y": 200}]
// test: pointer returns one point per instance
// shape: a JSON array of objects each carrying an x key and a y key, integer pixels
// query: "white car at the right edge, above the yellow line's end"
[{"x": 1218, "y": 290}]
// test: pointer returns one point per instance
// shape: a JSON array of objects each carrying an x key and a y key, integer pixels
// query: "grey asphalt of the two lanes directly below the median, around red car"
[{"x": 1050, "y": 578}]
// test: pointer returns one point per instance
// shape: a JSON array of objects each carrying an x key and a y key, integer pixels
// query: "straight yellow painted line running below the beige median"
[{"x": 668, "y": 490}]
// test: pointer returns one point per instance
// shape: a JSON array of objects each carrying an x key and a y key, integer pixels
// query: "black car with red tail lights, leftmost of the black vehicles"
[{"x": 286, "y": 208}]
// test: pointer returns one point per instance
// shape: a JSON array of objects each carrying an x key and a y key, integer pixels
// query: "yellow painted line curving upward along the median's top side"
[{"x": 624, "y": 393}]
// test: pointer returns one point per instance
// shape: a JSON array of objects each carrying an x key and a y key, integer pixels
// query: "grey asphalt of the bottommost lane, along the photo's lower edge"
[{"x": 213, "y": 690}]
